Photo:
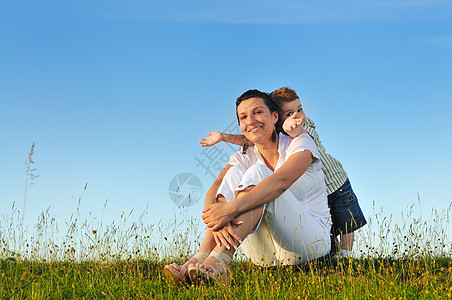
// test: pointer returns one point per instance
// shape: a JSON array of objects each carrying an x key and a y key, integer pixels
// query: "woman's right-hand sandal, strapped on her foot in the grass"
[{"x": 211, "y": 275}]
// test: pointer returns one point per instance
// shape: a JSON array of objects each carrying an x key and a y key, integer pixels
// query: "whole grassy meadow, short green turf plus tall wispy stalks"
[{"x": 125, "y": 260}]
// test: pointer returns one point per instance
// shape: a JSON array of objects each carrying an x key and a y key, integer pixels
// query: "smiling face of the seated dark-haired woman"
[{"x": 256, "y": 121}]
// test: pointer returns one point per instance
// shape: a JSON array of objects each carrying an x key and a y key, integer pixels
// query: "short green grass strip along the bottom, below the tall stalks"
[{"x": 372, "y": 278}]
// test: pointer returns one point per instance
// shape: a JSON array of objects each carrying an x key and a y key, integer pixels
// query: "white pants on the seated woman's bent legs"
[{"x": 287, "y": 232}]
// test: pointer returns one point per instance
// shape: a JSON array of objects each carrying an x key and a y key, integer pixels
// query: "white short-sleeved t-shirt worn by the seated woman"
[{"x": 310, "y": 188}]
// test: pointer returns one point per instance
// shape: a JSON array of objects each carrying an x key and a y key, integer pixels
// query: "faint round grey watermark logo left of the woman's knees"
[{"x": 185, "y": 189}]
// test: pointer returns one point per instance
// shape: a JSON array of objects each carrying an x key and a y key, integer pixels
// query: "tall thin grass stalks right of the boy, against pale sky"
[{"x": 411, "y": 237}]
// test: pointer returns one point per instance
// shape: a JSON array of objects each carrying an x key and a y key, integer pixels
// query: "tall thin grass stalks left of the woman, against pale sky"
[{"x": 88, "y": 238}]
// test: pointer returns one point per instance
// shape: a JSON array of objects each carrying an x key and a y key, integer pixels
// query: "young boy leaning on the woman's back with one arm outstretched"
[{"x": 346, "y": 213}]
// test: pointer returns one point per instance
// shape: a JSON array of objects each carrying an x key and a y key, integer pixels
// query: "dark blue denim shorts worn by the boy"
[{"x": 345, "y": 211}]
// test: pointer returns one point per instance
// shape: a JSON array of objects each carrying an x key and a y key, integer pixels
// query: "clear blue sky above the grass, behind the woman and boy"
[{"x": 117, "y": 94}]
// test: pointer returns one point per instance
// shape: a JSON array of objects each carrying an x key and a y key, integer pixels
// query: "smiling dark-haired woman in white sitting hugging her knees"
[{"x": 273, "y": 198}]
